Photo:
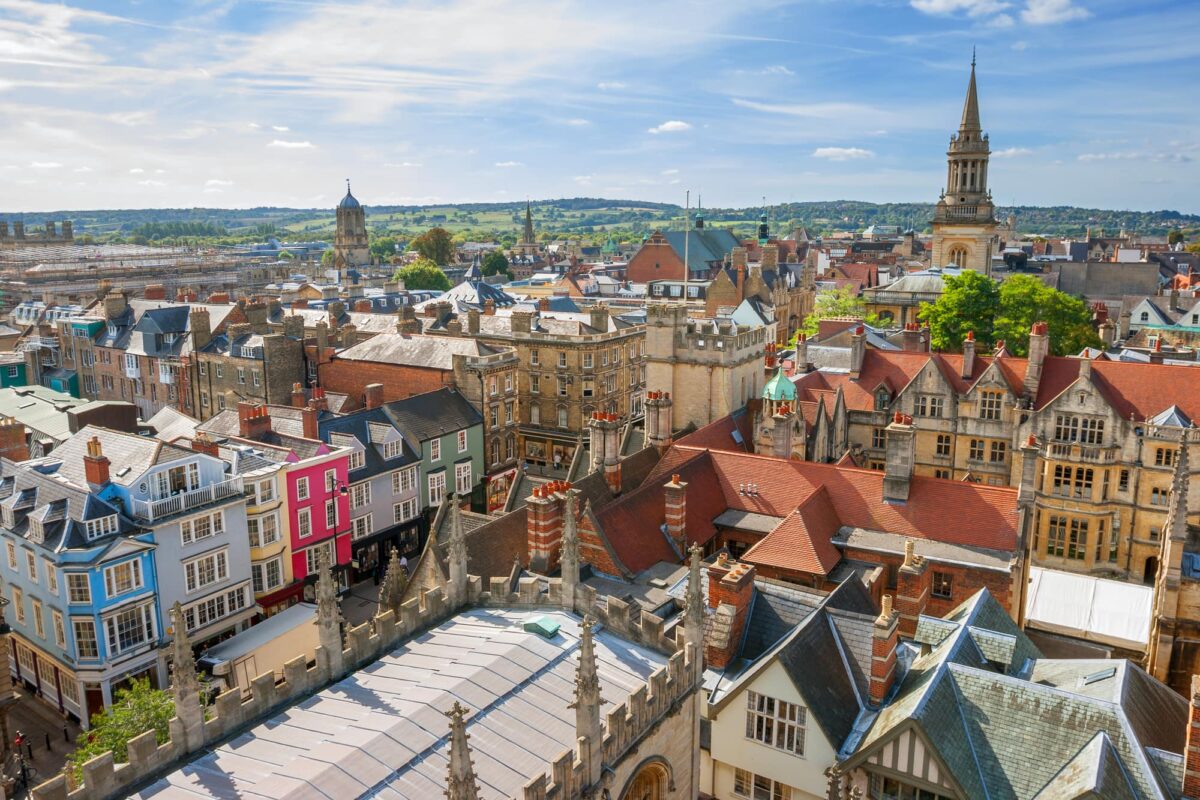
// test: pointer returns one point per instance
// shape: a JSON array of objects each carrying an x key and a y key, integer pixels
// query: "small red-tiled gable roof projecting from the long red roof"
[{"x": 805, "y": 540}]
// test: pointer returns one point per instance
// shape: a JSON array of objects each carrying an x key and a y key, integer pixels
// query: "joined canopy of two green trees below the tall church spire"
[{"x": 1006, "y": 312}]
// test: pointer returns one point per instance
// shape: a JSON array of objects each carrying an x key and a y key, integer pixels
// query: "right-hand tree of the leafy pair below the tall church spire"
[{"x": 1025, "y": 300}]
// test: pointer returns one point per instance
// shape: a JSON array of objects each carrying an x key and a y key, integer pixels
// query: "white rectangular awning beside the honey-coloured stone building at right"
[{"x": 1096, "y": 610}]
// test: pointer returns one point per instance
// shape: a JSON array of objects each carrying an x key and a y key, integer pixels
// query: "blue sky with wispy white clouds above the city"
[{"x": 233, "y": 104}]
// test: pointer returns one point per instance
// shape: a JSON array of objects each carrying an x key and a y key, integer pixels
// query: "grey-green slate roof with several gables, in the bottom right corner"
[{"x": 1024, "y": 730}]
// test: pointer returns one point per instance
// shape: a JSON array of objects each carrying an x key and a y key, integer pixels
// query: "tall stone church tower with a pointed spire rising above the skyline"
[{"x": 965, "y": 219}]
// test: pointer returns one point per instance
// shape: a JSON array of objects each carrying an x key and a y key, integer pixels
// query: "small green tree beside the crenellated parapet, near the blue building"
[{"x": 137, "y": 709}]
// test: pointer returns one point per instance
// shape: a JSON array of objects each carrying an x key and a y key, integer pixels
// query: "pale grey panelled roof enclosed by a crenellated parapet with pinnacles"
[{"x": 383, "y": 732}]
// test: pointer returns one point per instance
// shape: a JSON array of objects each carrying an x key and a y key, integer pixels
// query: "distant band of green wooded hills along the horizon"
[{"x": 590, "y": 218}]
